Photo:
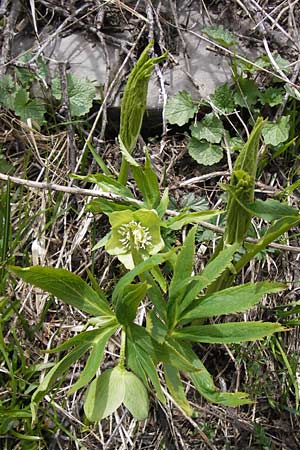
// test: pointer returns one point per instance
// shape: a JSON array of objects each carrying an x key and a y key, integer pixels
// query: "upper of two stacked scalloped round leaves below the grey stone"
[{"x": 210, "y": 128}]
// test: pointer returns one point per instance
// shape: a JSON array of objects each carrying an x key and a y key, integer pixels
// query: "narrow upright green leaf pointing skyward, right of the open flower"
[{"x": 182, "y": 272}]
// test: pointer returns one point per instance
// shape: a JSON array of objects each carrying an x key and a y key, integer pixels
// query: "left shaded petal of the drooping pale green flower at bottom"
[{"x": 105, "y": 394}]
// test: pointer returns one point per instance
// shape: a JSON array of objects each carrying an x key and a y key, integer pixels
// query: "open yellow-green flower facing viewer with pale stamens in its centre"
[{"x": 134, "y": 234}]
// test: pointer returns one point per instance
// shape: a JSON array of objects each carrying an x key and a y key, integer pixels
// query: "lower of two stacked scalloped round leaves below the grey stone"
[{"x": 204, "y": 153}]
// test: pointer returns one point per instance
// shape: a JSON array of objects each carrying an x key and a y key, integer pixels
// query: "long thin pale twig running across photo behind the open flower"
[{"x": 121, "y": 199}]
